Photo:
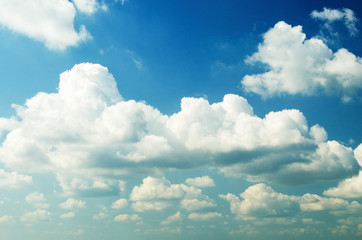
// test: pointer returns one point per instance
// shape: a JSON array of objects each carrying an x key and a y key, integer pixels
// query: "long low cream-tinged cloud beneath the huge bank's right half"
[{"x": 261, "y": 201}]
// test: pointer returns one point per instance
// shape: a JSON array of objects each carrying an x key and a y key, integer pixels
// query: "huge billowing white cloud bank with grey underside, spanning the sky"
[{"x": 91, "y": 137}]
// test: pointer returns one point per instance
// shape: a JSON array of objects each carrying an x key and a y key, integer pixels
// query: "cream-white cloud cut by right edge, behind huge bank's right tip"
[{"x": 350, "y": 187}]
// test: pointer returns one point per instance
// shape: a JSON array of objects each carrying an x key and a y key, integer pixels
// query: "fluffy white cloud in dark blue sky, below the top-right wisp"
[{"x": 302, "y": 66}]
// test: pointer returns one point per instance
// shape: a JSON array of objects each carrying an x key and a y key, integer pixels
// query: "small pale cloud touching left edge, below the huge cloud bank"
[{"x": 14, "y": 180}]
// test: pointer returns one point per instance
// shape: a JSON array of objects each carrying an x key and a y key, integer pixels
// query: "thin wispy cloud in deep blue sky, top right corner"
[{"x": 329, "y": 16}]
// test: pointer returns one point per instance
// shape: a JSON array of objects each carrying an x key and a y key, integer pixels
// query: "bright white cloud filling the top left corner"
[{"x": 48, "y": 21}]
